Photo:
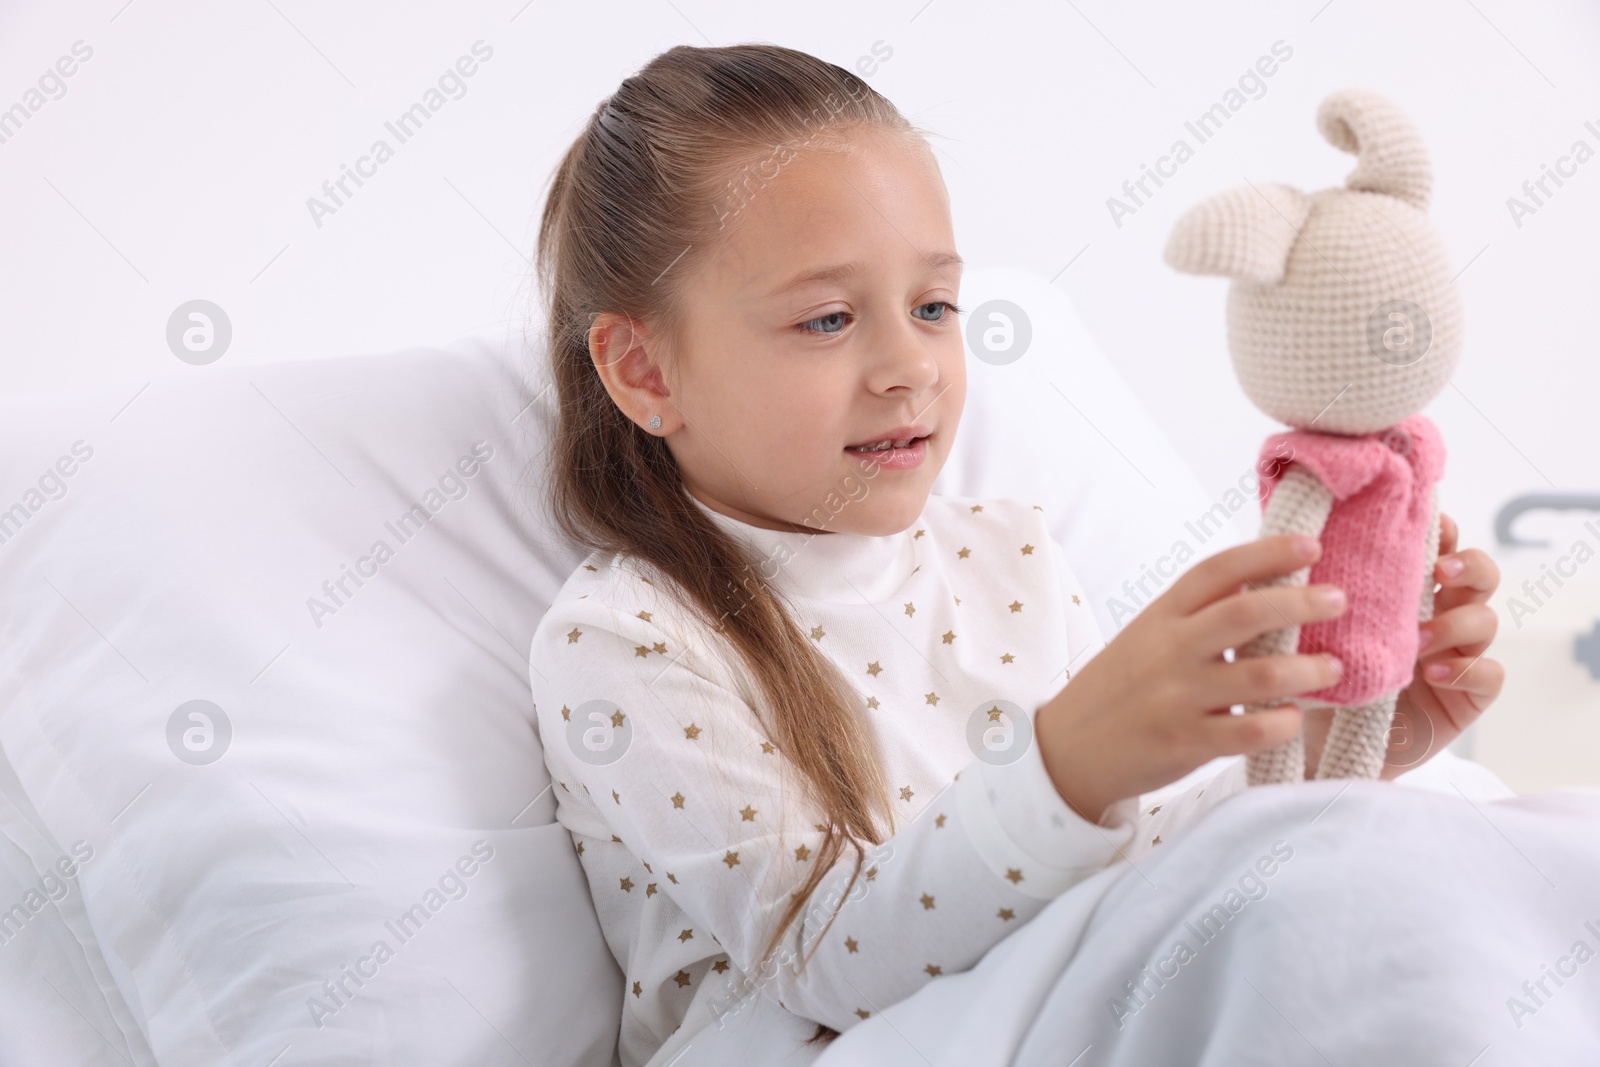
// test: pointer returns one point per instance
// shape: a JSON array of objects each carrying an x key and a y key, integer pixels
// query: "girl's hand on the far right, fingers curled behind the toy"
[{"x": 1452, "y": 642}]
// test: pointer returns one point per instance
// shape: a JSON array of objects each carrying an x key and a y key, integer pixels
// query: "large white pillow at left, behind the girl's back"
[{"x": 169, "y": 545}]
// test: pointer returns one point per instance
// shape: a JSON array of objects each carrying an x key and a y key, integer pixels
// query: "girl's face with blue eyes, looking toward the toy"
[{"x": 823, "y": 321}]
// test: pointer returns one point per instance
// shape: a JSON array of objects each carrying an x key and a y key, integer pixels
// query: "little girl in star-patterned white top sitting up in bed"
[{"x": 818, "y": 735}]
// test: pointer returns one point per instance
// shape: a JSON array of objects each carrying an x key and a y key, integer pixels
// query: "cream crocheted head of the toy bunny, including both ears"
[{"x": 1343, "y": 316}]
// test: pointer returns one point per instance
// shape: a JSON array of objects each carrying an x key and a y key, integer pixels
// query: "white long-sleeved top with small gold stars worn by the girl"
[{"x": 694, "y": 833}]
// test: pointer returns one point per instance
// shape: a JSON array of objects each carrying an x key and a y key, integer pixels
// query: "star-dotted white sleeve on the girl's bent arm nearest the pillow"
[{"x": 670, "y": 770}]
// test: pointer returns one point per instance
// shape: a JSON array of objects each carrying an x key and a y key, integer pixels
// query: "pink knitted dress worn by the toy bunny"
[{"x": 1374, "y": 546}]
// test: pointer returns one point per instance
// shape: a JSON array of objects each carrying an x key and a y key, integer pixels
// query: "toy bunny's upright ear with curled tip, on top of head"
[{"x": 1386, "y": 143}]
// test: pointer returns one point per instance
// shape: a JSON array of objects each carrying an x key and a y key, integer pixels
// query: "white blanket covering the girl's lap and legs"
[{"x": 1313, "y": 924}]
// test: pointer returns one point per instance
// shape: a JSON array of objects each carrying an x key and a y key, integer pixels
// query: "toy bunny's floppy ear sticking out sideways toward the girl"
[{"x": 1241, "y": 234}]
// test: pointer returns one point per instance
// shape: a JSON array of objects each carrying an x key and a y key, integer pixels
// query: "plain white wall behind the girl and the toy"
[{"x": 182, "y": 156}]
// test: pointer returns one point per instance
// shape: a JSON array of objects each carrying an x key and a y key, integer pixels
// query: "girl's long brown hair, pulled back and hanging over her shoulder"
[{"x": 663, "y": 166}]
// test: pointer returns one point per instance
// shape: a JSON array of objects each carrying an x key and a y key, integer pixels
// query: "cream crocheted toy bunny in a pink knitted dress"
[{"x": 1343, "y": 322}]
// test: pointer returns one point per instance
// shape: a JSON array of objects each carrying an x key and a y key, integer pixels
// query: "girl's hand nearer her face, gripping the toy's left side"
[{"x": 1154, "y": 703}]
